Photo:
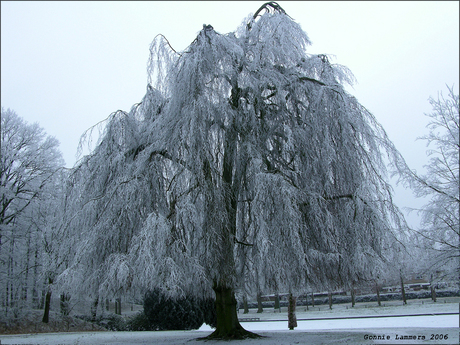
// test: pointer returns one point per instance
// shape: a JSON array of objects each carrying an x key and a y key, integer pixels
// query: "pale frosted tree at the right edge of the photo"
[{"x": 440, "y": 224}]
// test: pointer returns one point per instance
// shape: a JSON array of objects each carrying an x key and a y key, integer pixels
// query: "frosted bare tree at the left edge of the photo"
[{"x": 28, "y": 166}]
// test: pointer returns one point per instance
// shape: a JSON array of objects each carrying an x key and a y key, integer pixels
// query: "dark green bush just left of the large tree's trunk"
[{"x": 164, "y": 313}]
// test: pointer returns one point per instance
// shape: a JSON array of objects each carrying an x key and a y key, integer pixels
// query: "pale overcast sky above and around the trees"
[{"x": 68, "y": 65}]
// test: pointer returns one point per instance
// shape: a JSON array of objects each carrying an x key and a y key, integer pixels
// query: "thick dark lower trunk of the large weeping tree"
[{"x": 228, "y": 326}]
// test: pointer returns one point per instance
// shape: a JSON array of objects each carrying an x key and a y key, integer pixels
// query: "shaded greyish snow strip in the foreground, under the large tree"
[{"x": 298, "y": 336}]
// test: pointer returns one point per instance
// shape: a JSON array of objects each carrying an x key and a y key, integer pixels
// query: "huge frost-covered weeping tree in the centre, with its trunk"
[{"x": 246, "y": 167}]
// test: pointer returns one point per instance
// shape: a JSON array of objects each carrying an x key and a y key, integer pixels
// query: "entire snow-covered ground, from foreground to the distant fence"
[{"x": 378, "y": 325}]
